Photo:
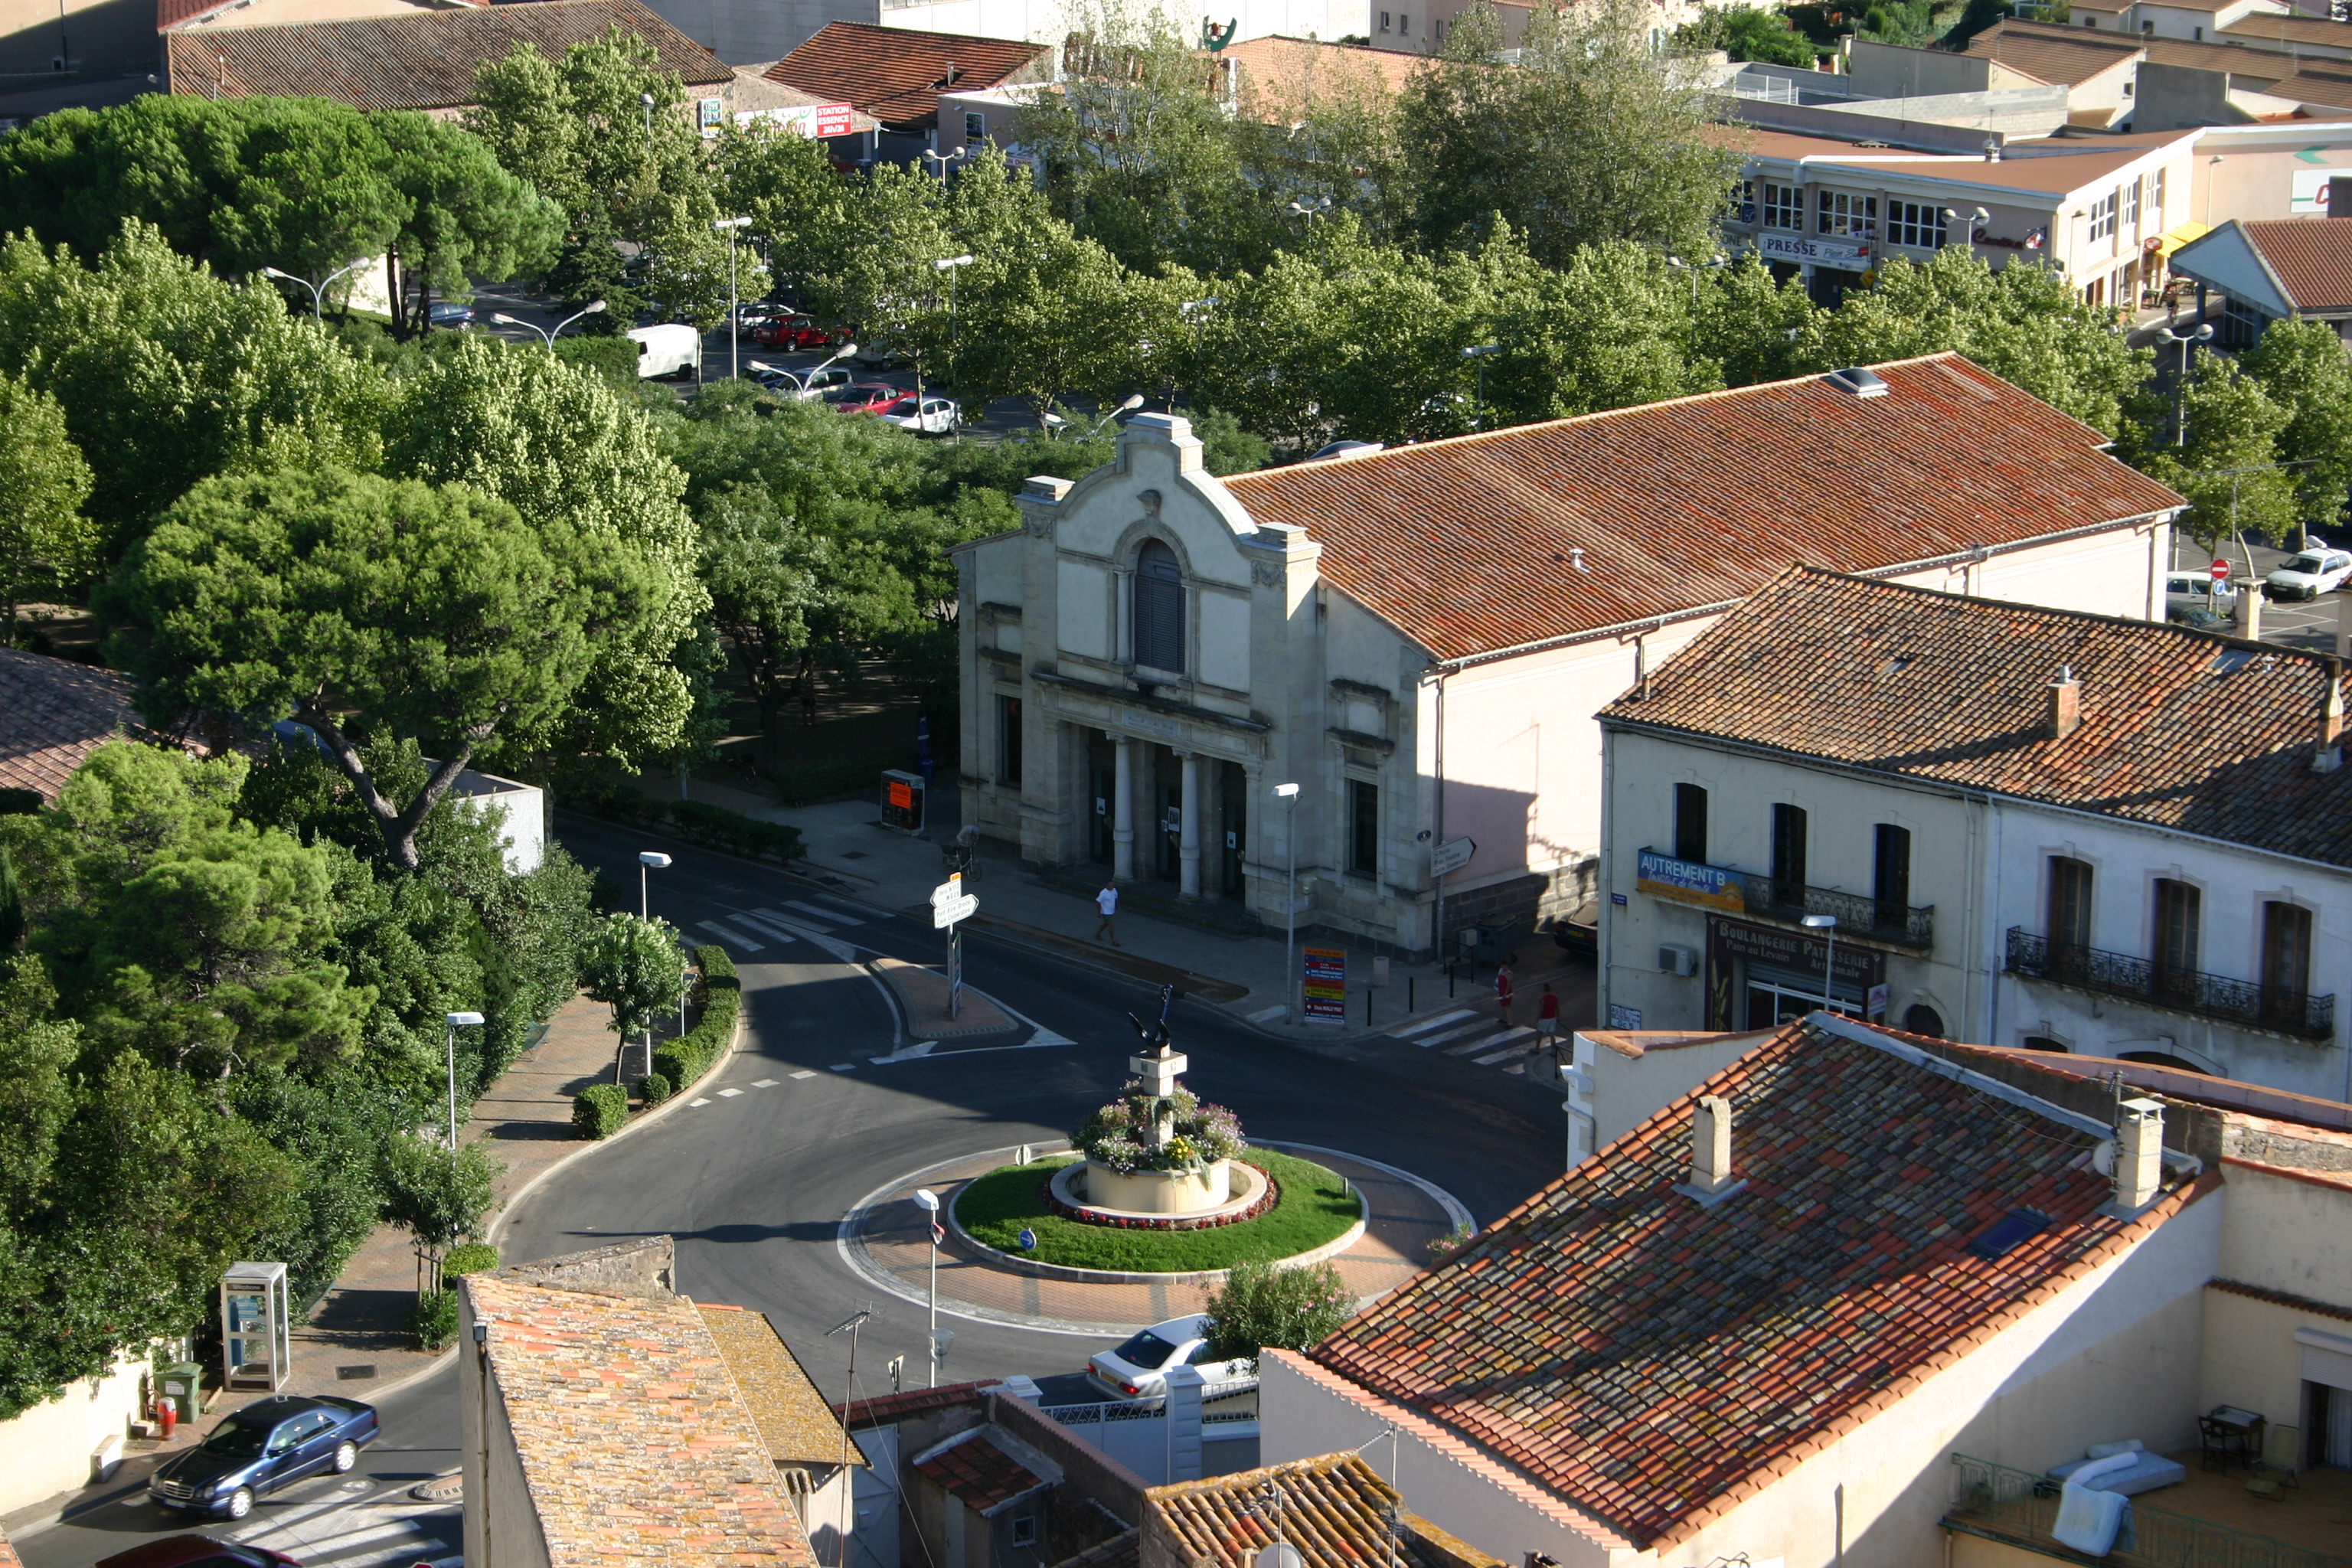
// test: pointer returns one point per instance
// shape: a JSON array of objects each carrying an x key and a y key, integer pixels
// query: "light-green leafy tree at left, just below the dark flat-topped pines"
[{"x": 171, "y": 375}]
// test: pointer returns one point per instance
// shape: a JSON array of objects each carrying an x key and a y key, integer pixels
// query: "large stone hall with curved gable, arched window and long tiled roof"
[{"x": 1419, "y": 638}]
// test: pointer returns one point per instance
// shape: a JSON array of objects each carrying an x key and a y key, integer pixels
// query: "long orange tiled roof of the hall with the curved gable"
[{"x": 1697, "y": 502}]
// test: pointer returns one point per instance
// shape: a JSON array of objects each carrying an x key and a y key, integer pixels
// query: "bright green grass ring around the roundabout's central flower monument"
[{"x": 1316, "y": 1207}]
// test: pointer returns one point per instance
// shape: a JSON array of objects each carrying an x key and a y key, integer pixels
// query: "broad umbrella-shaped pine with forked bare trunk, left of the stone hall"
[{"x": 356, "y": 603}]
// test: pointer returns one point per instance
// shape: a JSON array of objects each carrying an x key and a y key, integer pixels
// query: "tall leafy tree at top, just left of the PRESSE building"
[{"x": 1593, "y": 135}]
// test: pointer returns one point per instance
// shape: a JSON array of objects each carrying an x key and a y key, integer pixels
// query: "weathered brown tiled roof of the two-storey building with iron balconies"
[{"x": 2181, "y": 730}]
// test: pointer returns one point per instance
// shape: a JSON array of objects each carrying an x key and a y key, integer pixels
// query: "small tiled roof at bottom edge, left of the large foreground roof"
[{"x": 1335, "y": 1510}]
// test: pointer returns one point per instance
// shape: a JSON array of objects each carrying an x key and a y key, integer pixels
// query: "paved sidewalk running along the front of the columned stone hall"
[{"x": 1161, "y": 944}]
